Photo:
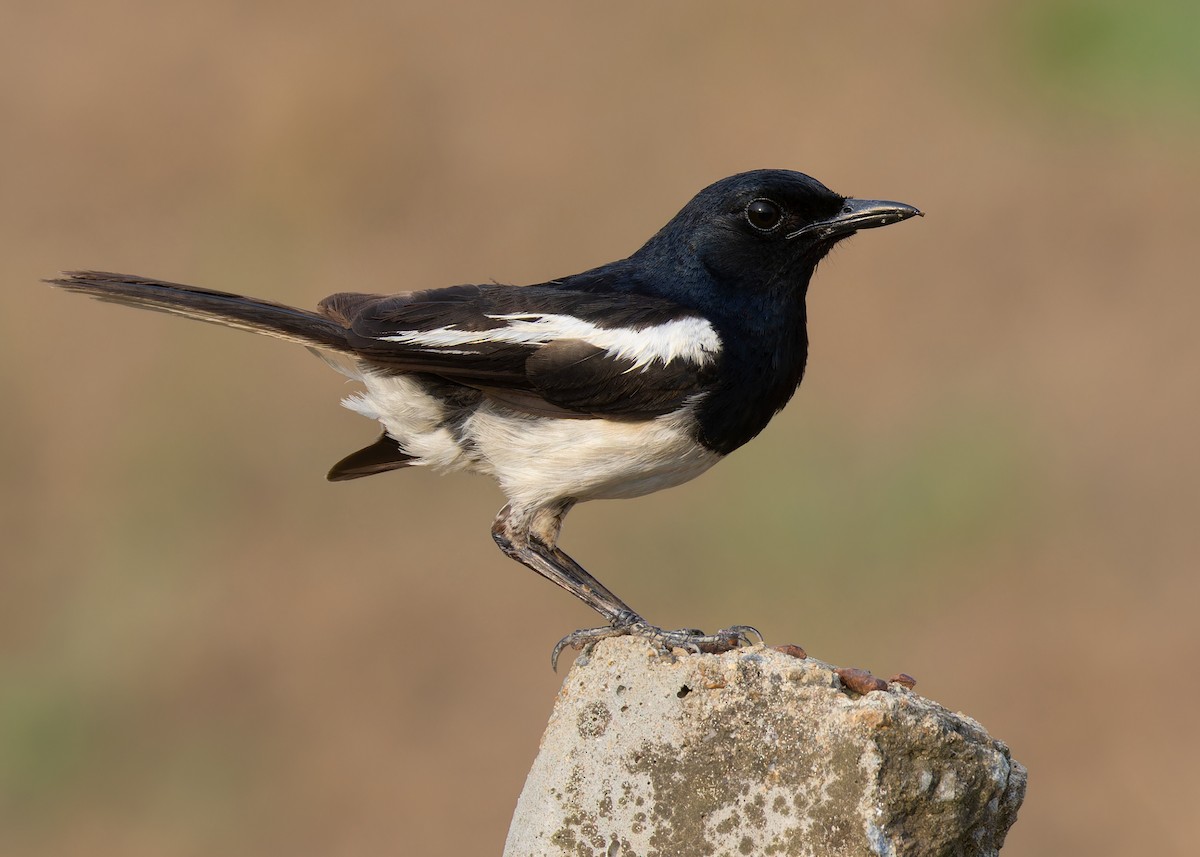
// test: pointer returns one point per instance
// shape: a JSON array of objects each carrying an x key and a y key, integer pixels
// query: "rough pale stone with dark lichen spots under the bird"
[{"x": 757, "y": 752}]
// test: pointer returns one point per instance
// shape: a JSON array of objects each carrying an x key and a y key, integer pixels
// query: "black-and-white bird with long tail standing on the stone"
[{"x": 625, "y": 380}]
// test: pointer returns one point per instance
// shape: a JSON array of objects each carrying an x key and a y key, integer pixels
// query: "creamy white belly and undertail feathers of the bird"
[{"x": 539, "y": 460}]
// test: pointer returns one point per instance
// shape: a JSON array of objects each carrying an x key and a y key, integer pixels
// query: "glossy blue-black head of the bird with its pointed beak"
[{"x": 764, "y": 232}]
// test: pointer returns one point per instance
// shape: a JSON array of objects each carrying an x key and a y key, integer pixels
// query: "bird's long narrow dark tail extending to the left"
[{"x": 207, "y": 305}]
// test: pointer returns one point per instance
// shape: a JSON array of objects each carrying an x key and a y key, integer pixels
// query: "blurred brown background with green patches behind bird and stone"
[{"x": 988, "y": 481}]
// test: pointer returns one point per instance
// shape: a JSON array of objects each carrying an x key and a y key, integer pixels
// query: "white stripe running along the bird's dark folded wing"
[{"x": 689, "y": 339}]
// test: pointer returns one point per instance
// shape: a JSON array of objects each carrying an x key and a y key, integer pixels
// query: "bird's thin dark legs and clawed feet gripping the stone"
[{"x": 530, "y": 537}]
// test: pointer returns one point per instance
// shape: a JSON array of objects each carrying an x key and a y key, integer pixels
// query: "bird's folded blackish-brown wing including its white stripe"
[{"x": 541, "y": 349}]
